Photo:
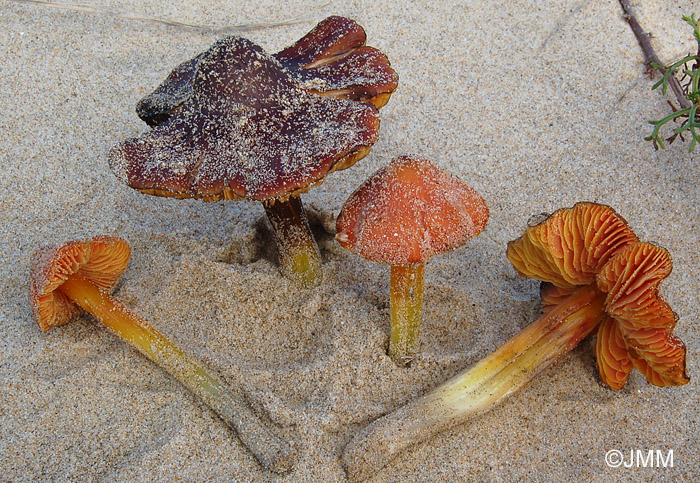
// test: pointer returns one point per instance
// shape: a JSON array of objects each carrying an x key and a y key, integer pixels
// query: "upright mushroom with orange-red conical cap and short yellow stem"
[{"x": 402, "y": 215}]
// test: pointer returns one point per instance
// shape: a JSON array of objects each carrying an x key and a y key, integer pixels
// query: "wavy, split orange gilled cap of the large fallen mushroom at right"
[{"x": 591, "y": 244}]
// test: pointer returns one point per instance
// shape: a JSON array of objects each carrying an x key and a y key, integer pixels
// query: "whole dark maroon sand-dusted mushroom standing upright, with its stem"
[{"x": 238, "y": 123}]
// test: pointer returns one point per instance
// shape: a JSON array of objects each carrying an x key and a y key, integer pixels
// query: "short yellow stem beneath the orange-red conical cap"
[{"x": 406, "y": 311}]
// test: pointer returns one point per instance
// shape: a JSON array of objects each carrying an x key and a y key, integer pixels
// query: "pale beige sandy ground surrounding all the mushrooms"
[{"x": 537, "y": 107}]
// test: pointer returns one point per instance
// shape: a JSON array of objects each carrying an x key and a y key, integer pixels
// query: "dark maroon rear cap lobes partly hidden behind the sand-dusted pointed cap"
[{"x": 331, "y": 60}]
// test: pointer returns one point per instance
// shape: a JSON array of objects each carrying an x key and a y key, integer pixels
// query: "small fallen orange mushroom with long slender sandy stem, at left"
[{"x": 79, "y": 275}]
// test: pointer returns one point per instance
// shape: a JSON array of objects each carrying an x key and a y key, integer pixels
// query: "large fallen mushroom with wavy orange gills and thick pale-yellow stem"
[{"x": 596, "y": 274}]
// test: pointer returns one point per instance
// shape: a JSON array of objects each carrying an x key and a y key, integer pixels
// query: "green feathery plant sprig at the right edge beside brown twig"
[{"x": 690, "y": 90}]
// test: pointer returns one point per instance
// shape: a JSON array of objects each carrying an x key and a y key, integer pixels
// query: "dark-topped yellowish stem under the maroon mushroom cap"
[{"x": 299, "y": 257}]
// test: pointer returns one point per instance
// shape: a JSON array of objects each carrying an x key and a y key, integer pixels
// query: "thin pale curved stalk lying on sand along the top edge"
[{"x": 170, "y": 23}]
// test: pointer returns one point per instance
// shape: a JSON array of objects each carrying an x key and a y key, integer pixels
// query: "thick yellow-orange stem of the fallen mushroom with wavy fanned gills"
[{"x": 491, "y": 380}]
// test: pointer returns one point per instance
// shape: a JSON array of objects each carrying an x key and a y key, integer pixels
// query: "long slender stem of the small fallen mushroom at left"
[{"x": 272, "y": 453}]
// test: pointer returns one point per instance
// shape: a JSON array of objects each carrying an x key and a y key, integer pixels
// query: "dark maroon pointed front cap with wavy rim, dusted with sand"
[{"x": 247, "y": 131}]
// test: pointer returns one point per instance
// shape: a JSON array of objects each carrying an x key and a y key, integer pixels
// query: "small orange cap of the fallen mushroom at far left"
[{"x": 101, "y": 260}]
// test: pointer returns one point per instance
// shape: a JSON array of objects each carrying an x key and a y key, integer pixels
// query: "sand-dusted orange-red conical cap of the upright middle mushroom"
[{"x": 409, "y": 211}]
